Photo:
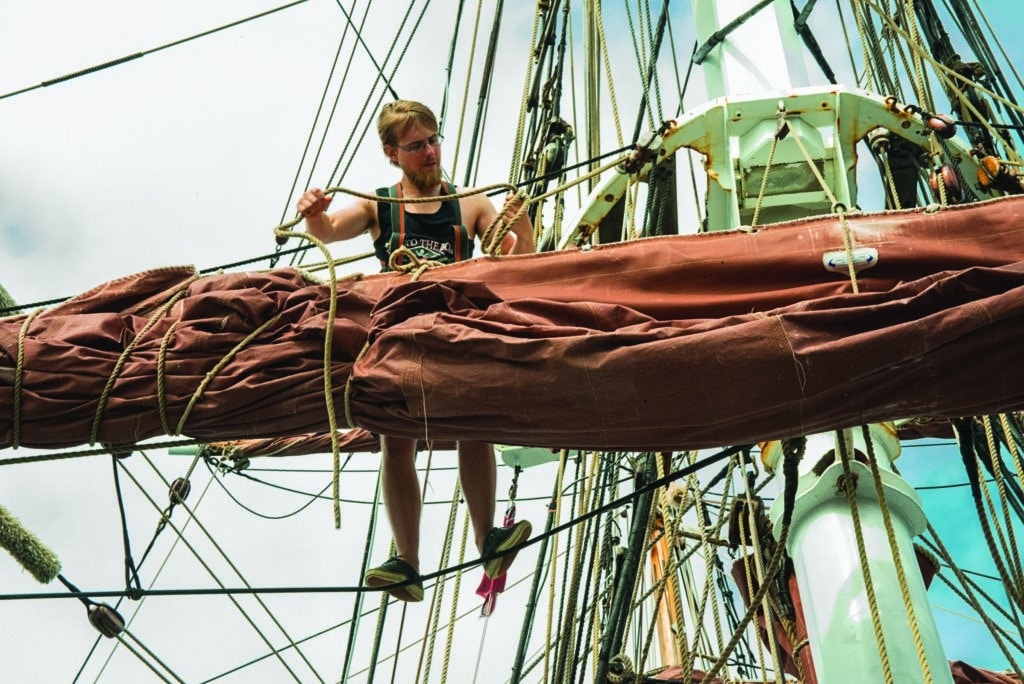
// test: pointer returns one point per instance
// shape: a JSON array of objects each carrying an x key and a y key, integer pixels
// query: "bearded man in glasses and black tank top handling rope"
[{"x": 440, "y": 232}]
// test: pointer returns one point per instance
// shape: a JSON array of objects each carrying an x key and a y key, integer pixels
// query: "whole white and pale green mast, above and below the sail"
[{"x": 752, "y": 48}]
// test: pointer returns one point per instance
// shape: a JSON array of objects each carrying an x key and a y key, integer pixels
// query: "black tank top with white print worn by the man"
[{"x": 439, "y": 237}]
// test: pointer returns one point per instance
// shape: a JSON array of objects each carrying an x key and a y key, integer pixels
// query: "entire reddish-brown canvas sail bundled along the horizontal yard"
[{"x": 664, "y": 344}]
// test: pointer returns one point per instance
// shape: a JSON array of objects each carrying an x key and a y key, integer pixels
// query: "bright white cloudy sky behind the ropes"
[{"x": 187, "y": 156}]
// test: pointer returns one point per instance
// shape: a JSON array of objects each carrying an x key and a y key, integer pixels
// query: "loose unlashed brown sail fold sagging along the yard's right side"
[{"x": 602, "y": 376}]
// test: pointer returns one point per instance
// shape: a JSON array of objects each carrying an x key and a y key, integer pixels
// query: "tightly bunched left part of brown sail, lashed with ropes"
[{"x": 273, "y": 387}]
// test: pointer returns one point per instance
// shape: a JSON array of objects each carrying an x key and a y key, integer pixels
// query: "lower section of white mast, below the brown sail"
[{"x": 842, "y": 627}]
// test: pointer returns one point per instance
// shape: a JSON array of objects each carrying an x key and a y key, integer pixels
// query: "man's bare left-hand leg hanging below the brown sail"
[{"x": 402, "y": 496}]
